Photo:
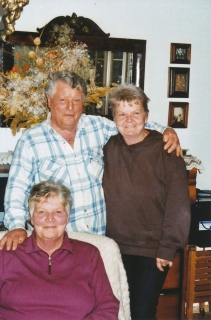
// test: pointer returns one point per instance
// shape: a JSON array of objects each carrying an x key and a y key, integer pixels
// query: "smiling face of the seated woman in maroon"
[{"x": 49, "y": 218}]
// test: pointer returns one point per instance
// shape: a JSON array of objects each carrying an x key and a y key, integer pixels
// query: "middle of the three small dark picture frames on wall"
[{"x": 179, "y": 82}]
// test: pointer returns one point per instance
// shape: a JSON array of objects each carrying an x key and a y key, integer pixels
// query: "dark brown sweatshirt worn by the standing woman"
[{"x": 147, "y": 198}]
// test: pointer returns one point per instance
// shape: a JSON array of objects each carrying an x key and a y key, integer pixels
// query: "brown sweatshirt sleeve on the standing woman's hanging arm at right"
[{"x": 176, "y": 223}]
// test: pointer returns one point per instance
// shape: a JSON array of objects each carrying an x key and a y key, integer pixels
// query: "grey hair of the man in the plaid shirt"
[{"x": 71, "y": 78}]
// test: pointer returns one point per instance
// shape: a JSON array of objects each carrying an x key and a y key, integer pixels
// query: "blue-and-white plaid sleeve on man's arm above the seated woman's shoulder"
[{"x": 19, "y": 183}]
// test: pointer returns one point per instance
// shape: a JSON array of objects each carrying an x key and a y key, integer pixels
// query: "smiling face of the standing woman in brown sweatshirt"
[{"x": 130, "y": 119}]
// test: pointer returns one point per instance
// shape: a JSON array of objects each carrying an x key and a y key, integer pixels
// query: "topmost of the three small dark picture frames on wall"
[{"x": 180, "y": 53}]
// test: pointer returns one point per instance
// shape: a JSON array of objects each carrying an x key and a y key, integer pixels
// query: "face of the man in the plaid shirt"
[{"x": 66, "y": 105}]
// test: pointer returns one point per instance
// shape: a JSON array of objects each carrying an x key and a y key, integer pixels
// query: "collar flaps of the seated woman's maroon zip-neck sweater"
[{"x": 31, "y": 245}]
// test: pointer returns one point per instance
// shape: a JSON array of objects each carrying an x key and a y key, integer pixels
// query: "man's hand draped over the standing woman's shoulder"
[{"x": 172, "y": 141}]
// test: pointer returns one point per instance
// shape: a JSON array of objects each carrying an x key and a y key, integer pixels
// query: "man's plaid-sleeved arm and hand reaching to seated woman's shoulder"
[{"x": 16, "y": 195}]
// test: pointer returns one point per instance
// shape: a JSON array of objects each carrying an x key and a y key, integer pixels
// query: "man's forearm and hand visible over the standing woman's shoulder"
[{"x": 169, "y": 136}]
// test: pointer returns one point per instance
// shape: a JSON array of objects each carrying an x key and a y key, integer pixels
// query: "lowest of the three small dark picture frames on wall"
[{"x": 178, "y": 115}]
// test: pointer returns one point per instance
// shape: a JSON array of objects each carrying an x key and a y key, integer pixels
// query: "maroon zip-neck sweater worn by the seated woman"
[{"x": 76, "y": 286}]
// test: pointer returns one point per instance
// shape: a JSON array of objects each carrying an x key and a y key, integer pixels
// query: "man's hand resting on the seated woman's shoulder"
[{"x": 12, "y": 239}]
